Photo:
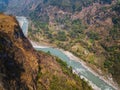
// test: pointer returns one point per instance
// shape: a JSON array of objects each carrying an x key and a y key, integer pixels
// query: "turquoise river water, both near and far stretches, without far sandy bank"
[{"x": 95, "y": 81}]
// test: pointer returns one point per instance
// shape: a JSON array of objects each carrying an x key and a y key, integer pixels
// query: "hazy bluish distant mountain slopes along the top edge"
[{"x": 23, "y": 6}]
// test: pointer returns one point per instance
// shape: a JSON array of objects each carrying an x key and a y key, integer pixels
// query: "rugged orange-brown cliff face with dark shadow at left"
[{"x": 18, "y": 60}]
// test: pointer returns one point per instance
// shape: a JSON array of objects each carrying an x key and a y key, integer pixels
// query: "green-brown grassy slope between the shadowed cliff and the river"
[{"x": 55, "y": 75}]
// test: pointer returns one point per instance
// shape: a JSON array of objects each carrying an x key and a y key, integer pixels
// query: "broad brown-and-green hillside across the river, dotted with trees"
[{"x": 91, "y": 33}]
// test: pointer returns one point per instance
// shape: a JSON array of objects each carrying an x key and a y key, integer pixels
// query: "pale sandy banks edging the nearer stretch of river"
[{"x": 72, "y": 57}]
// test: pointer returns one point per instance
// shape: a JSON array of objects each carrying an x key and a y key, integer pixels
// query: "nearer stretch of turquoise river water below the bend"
[{"x": 80, "y": 69}]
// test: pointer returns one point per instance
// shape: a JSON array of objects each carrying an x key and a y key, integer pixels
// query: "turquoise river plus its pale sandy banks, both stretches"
[{"x": 79, "y": 67}]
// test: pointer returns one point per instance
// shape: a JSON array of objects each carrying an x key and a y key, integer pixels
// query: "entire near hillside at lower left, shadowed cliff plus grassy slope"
[{"x": 23, "y": 68}]
